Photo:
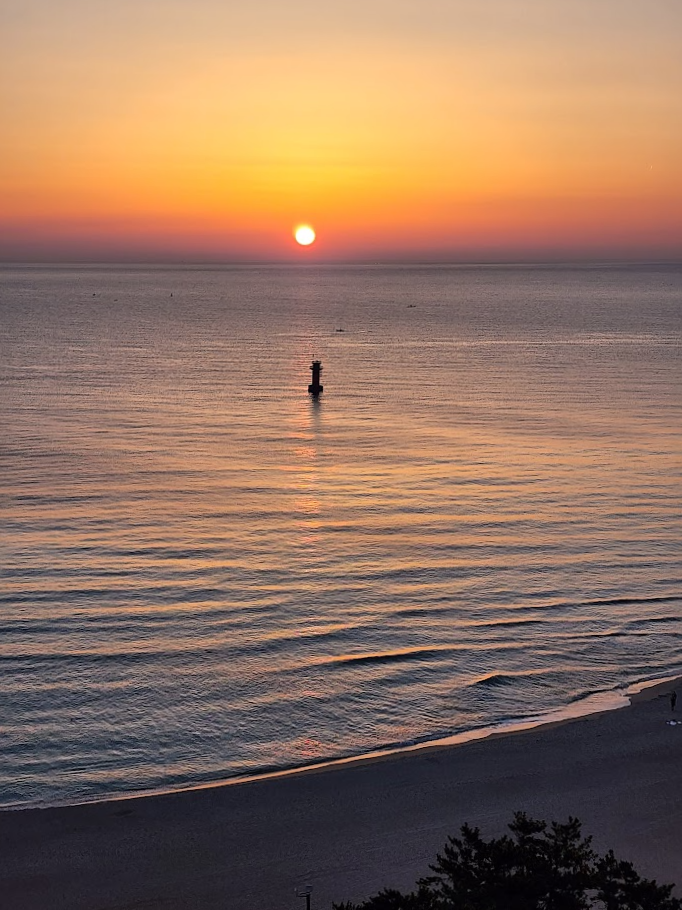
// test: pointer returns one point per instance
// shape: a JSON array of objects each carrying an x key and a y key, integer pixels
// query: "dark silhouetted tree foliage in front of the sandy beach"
[{"x": 536, "y": 867}]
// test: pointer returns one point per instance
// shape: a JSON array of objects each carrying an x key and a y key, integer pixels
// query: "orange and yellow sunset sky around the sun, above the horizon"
[{"x": 430, "y": 130}]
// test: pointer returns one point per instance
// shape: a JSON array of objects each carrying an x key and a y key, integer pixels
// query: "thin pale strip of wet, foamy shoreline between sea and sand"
[{"x": 590, "y": 705}]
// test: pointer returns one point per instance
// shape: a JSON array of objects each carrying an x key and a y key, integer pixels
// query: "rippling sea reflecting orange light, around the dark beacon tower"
[{"x": 205, "y": 573}]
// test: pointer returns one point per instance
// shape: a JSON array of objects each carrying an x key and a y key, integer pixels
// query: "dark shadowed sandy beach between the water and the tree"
[{"x": 352, "y": 829}]
